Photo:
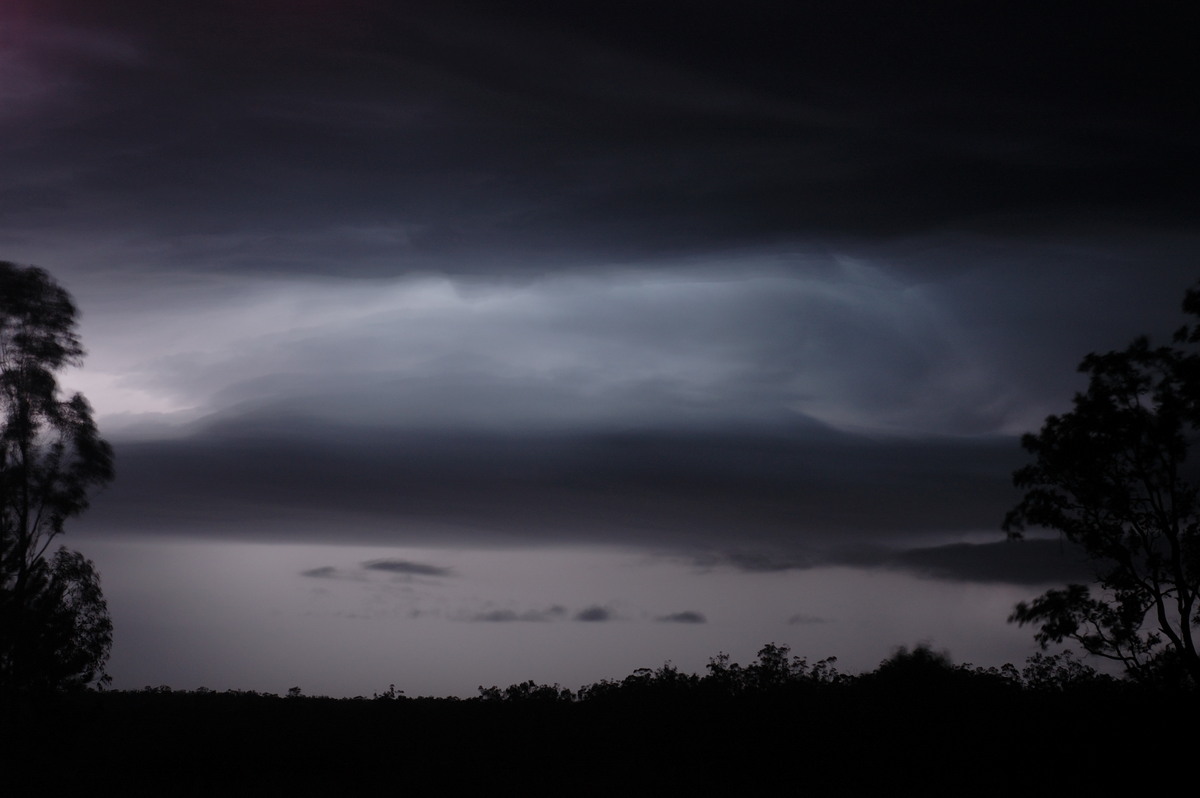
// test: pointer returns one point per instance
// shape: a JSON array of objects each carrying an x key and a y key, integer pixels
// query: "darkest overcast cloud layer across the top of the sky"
[{"x": 374, "y": 137}]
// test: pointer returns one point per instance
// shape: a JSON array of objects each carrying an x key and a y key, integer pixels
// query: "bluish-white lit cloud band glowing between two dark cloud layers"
[{"x": 851, "y": 349}]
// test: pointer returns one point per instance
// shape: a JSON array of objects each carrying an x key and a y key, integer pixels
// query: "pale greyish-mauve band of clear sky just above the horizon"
[{"x": 215, "y": 610}]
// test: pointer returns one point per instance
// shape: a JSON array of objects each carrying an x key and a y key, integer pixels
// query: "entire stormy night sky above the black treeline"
[{"x": 457, "y": 344}]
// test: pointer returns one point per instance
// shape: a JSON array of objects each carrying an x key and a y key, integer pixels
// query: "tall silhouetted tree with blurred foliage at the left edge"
[{"x": 55, "y": 625}]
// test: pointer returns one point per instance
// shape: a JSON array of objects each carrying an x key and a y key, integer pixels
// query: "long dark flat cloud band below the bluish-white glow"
[{"x": 763, "y": 500}]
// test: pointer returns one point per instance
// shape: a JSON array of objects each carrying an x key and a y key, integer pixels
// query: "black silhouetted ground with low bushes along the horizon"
[{"x": 928, "y": 731}]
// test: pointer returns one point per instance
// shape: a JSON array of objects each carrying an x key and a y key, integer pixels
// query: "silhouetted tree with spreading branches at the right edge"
[{"x": 1113, "y": 477}]
